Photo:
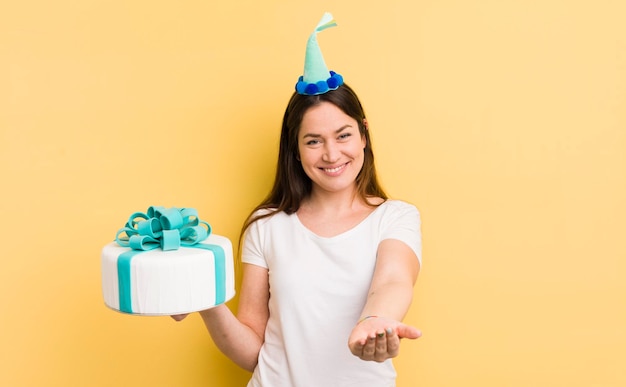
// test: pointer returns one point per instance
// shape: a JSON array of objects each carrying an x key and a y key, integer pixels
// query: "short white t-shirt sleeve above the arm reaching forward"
[{"x": 404, "y": 224}]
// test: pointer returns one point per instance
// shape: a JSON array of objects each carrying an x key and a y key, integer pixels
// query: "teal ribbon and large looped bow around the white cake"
[{"x": 167, "y": 229}]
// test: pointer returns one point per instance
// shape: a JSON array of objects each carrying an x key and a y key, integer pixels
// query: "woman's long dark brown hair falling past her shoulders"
[{"x": 291, "y": 184}]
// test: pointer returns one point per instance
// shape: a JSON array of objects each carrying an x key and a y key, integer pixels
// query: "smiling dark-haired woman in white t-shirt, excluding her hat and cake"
[{"x": 329, "y": 262}]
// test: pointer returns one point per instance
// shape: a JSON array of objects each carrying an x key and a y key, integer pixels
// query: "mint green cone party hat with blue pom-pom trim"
[{"x": 317, "y": 79}]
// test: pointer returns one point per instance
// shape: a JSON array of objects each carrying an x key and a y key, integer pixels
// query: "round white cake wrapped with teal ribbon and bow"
[{"x": 166, "y": 262}]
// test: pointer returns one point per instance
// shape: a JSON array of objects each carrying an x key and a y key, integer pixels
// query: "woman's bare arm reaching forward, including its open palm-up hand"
[{"x": 377, "y": 335}]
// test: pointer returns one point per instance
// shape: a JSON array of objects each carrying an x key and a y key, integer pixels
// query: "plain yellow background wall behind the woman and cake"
[{"x": 503, "y": 121}]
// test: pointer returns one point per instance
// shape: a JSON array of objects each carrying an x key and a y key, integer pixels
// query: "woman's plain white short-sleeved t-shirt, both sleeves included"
[{"x": 318, "y": 288}]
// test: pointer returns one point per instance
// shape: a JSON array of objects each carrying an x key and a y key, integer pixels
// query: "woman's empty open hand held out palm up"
[{"x": 378, "y": 339}]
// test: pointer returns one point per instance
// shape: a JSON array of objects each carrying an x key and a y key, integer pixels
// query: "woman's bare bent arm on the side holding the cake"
[{"x": 240, "y": 338}]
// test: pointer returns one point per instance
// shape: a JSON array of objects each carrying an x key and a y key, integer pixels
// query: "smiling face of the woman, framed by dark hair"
[{"x": 330, "y": 148}]
